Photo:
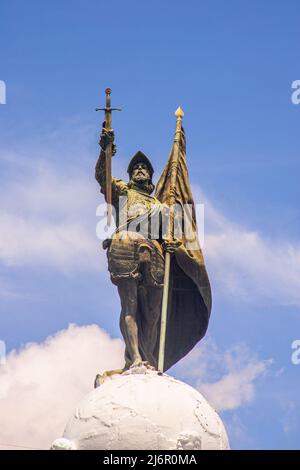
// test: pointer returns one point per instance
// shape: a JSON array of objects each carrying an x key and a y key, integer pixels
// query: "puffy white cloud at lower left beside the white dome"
[{"x": 41, "y": 384}]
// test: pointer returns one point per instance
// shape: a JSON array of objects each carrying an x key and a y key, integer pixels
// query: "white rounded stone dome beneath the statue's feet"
[{"x": 140, "y": 409}]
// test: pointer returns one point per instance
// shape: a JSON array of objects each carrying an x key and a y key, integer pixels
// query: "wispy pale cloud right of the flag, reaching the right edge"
[{"x": 248, "y": 265}]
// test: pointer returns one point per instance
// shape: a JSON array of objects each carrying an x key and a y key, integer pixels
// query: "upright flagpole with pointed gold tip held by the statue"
[{"x": 164, "y": 311}]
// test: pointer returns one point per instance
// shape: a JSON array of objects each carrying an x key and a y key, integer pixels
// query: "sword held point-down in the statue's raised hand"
[{"x": 108, "y": 153}]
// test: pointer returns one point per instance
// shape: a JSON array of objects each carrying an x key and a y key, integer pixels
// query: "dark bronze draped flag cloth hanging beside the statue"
[{"x": 189, "y": 303}]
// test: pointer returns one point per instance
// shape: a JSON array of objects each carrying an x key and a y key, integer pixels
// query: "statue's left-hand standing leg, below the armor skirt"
[{"x": 128, "y": 294}]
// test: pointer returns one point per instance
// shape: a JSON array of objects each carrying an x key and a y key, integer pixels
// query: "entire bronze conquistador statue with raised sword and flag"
[{"x": 162, "y": 281}]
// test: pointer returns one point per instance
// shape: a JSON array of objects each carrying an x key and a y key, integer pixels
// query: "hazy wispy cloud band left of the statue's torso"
[{"x": 50, "y": 220}]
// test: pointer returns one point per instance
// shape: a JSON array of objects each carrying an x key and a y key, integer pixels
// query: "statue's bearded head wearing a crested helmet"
[{"x": 140, "y": 172}]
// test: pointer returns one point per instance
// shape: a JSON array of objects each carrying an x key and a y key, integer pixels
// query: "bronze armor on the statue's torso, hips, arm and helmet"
[{"x": 133, "y": 252}]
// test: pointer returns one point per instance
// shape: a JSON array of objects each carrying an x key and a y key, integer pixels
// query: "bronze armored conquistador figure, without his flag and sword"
[{"x": 135, "y": 261}]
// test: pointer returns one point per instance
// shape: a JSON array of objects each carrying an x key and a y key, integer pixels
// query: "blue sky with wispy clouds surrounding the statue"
[{"x": 230, "y": 65}]
